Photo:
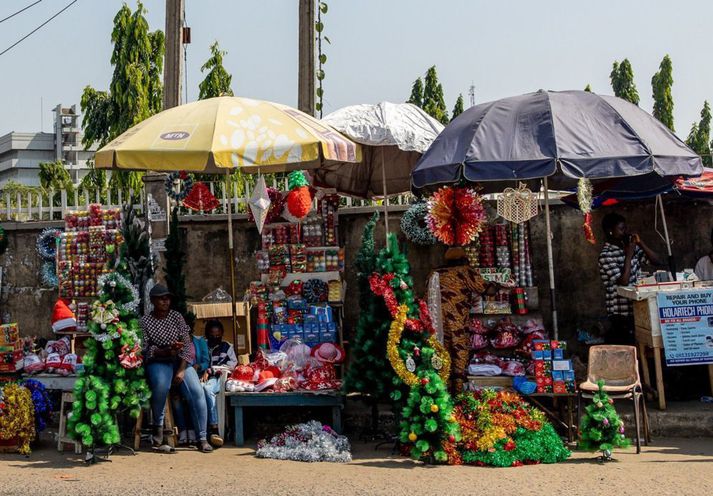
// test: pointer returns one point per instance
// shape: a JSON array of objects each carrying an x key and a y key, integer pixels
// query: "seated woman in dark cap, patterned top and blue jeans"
[{"x": 167, "y": 353}]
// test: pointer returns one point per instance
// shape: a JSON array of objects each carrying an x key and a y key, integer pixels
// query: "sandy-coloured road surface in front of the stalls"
[{"x": 672, "y": 466}]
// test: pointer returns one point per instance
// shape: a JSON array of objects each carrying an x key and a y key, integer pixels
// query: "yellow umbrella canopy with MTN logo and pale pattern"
[{"x": 228, "y": 132}]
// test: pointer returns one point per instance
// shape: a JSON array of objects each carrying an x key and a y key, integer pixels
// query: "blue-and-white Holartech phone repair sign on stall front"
[{"x": 687, "y": 326}]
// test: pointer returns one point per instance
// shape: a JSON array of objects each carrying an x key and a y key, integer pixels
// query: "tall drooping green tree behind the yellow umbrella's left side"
[{"x": 135, "y": 91}]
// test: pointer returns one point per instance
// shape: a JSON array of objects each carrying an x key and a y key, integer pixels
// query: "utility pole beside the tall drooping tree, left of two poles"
[{"x": 173, "y": 66}]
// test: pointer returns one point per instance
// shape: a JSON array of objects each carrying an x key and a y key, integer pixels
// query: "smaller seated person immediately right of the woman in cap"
[{"x": 222, "y": 356}]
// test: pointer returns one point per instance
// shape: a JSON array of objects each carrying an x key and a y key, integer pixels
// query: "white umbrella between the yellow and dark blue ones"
[{"x": 395, "y": 135}]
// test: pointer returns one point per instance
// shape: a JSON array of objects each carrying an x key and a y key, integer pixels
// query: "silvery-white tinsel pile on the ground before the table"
[{"x": 308, "y": 442}]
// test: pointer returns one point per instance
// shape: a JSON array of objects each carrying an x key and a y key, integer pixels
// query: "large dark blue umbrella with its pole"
[{"x": 557, "y": 137}]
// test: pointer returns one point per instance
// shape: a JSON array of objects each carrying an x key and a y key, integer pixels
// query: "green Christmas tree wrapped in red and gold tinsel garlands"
[{"x": 427, "y": 427}]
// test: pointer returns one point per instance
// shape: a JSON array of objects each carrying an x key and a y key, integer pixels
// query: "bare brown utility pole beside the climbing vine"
[{"x": 305, "y": 77}]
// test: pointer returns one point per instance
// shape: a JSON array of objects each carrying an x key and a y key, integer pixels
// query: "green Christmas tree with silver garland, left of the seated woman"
[{"x": 105, "y": 387}]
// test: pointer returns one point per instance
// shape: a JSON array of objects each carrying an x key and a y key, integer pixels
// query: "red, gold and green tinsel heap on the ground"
[{"x": 501, "y": 429}]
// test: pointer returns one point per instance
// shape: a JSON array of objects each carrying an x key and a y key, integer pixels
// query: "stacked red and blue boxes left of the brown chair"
[{"x": 553, "y": 373}]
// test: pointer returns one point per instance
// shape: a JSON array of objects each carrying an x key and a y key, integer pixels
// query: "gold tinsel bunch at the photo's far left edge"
[{"x": 18, "y": 418}]
